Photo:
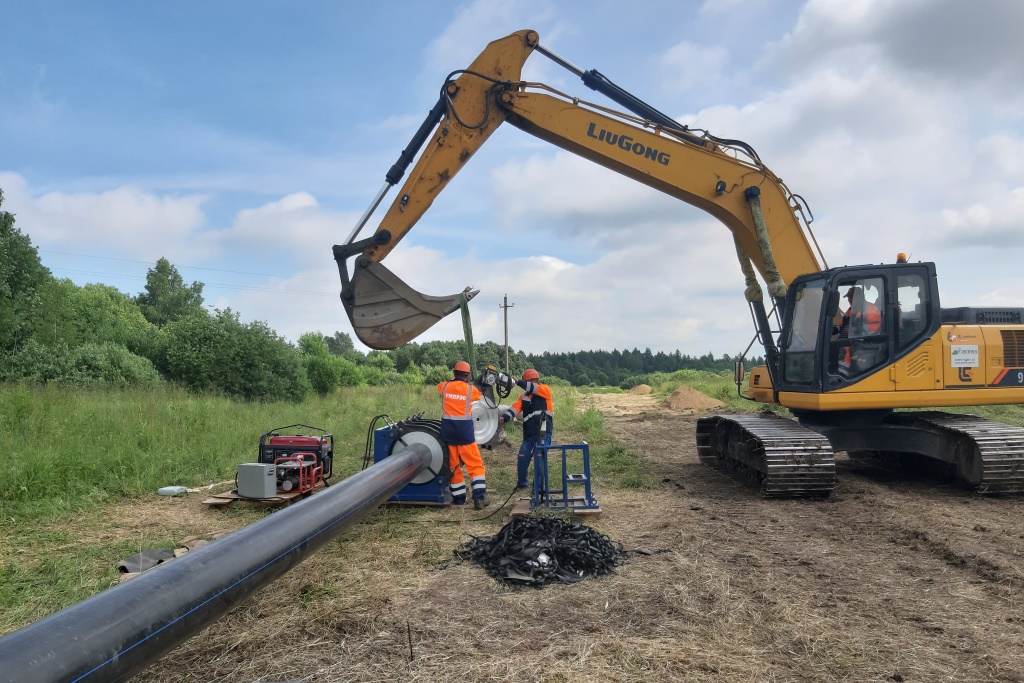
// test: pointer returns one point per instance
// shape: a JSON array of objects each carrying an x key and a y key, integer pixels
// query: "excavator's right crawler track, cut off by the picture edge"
[{"x": 989, "y": 455}]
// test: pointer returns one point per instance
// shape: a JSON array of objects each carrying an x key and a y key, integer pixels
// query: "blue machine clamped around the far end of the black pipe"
[{"x": 431, "y": 486}]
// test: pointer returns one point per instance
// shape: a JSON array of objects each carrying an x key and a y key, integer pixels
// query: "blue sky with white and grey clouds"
[{"x": 242, "y": 140}]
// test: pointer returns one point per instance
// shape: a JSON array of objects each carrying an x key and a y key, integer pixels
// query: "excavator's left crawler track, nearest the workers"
[{"x": 785, "y": 458}]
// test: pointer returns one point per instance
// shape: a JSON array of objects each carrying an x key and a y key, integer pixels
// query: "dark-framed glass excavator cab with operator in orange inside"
[{"x": 842, "y": 326}]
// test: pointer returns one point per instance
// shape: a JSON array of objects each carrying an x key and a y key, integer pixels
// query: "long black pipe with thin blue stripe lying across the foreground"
[{"x": 119, "y": 632}]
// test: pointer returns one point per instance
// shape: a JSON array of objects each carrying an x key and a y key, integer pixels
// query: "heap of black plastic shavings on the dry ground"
[{"x": 535, "y": 551}]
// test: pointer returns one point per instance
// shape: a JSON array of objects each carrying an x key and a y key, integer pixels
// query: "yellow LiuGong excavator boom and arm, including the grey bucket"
[{"x": 723, "y": 178}]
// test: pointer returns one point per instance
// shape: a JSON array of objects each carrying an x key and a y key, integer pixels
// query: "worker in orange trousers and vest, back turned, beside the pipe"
[{"x": 457, "y": 431}]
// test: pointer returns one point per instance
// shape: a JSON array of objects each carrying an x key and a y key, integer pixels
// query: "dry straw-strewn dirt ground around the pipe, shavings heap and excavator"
[{"x": 887, "y": 580}]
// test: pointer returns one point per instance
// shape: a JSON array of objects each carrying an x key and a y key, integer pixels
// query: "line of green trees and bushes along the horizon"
[{"x": 55, "y": 331}]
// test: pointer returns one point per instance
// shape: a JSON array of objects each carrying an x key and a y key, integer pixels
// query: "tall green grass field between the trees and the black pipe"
[{"x": 80, "y": 456}]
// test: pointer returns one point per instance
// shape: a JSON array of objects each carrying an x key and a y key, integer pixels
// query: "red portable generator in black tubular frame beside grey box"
[{"x": 303, "y": 462}]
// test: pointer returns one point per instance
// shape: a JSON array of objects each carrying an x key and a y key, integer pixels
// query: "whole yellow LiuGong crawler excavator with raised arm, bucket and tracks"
[{"x": 849, "y": 346}]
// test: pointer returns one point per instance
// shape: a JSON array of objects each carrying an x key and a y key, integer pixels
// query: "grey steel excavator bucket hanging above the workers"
[{"x": 387, "y": 313}]
